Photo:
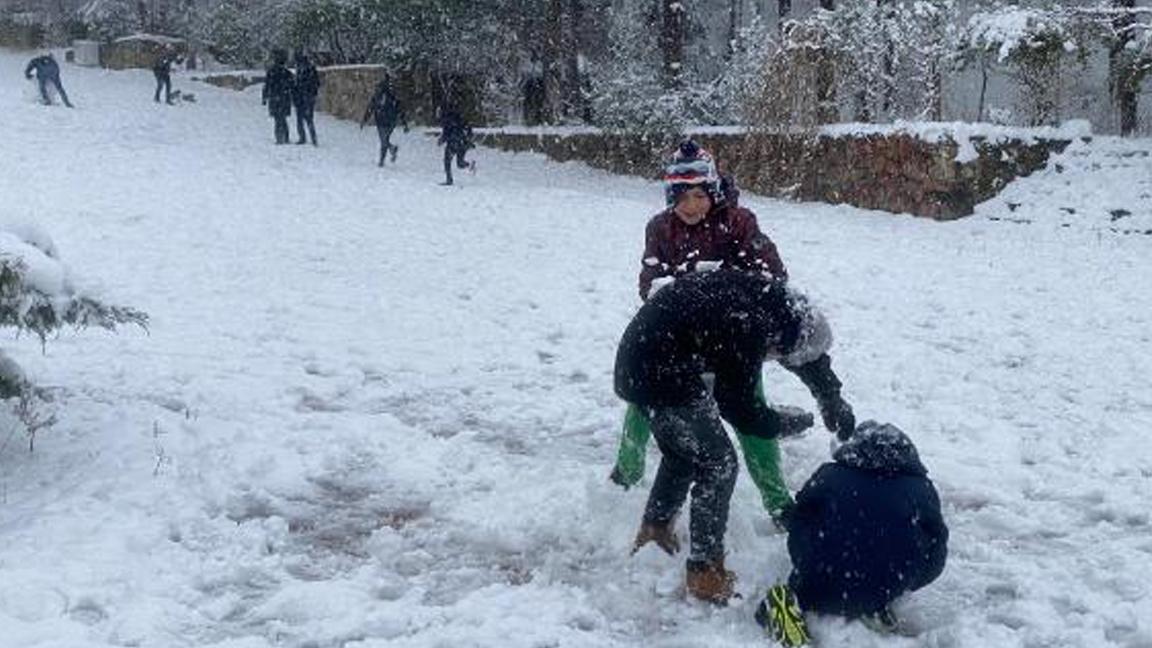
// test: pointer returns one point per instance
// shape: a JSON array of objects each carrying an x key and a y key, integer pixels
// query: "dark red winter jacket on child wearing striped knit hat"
[{"x": 727, "y": 235}]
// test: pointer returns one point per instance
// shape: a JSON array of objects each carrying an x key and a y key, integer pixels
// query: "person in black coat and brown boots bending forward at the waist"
[{"x": 727, "y": 323}]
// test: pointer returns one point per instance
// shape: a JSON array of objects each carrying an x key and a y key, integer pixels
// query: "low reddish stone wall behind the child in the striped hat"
[{"x": 893, "y": 172}]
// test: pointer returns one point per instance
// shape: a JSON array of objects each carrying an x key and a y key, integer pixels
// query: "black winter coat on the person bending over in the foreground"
[{"x": 723, "y": 322}]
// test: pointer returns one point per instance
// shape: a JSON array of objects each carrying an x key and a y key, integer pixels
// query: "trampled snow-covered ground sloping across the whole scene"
[{"x": 372, "y": 411}]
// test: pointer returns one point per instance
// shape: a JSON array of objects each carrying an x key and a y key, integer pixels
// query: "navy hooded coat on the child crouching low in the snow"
[{"x": 867, "y": 528}]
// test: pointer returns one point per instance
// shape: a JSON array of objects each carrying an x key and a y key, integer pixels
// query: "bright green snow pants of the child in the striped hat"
[{"x": 762, "y": 457}]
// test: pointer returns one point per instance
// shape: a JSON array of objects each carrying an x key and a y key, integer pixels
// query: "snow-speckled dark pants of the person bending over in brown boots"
[{"x": 698, "y": 456}]
